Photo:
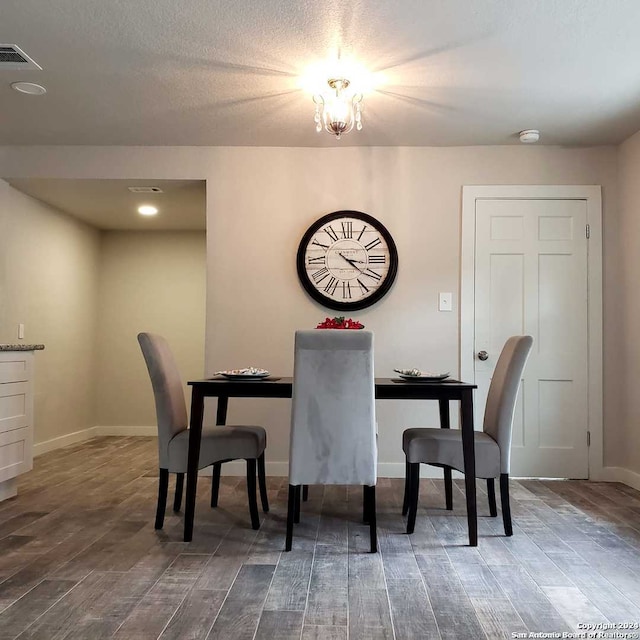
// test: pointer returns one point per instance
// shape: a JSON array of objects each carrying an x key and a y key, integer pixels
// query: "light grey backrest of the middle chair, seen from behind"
[{"x": 333, "y": 423}]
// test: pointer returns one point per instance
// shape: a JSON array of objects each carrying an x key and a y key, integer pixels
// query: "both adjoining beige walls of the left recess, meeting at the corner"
[{"x": 86, "y": 295}]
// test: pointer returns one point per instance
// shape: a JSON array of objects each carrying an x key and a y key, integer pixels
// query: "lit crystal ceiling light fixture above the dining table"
[{"x": 337, "y": 109}]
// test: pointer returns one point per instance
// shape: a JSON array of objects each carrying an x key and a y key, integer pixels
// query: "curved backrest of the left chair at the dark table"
[{"x": 171, "y": 411}]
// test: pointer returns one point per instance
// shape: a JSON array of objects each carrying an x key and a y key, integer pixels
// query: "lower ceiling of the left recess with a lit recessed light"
[{"x": 108, "y": 204}]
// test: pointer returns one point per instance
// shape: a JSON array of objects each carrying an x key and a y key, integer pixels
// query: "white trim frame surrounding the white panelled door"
[{"x": 592, "y": 194}]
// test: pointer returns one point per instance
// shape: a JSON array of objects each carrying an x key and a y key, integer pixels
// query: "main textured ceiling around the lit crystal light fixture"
[{"x": 227, "y": 72}]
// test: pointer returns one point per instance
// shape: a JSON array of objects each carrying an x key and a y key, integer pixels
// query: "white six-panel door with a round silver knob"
[{"x": 531, "y": 278}]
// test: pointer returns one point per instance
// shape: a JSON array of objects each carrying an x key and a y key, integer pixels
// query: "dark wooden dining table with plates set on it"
[{"x": 444, "y": 391}]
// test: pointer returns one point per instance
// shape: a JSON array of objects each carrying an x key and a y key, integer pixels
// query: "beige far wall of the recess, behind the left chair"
[{"x": 149, "y": 281}]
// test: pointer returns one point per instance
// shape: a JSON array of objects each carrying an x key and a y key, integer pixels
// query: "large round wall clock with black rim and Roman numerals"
[{"x": 347, "y": 260}]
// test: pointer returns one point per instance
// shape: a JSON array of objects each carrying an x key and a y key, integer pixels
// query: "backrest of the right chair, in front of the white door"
[{"x": 503, "y": 393}]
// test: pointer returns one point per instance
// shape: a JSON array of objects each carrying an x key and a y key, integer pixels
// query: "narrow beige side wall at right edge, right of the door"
[{"x": 627, "y": 430}]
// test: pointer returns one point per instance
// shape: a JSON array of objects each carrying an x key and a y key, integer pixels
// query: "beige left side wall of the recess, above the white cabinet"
[{"x": 49, "y": 282}]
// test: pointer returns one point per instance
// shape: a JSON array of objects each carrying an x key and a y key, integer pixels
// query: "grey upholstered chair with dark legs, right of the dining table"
[{"x": 443, "y": 447}]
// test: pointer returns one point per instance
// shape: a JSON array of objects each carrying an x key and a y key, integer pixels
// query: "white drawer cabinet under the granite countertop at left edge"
[{"x": 16, "y": 418}]
